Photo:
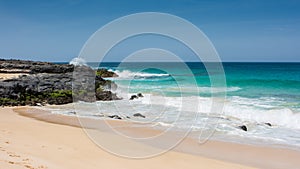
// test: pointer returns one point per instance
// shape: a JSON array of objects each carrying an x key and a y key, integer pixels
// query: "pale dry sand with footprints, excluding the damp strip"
[{"x": 26, "y": 142}]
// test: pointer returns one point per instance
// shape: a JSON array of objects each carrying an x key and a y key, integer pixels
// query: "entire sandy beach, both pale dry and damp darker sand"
[{"x": 30, "y": 143}]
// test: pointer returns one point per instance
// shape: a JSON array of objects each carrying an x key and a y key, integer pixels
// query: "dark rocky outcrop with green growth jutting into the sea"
[{"x": 49, "y": 83}]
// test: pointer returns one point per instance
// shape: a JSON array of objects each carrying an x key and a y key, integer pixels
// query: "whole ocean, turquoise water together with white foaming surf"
[{"x": 265, "y": 97}]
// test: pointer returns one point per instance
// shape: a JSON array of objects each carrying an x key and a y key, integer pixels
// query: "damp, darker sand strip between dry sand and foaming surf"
[{"x": 248, "y": 155}]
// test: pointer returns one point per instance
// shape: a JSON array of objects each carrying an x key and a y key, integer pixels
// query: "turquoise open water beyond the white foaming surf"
[{"x": 247, "y": 80}]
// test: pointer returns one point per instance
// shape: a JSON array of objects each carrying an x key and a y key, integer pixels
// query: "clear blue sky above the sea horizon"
[{"x": 240, "y": 30}]
